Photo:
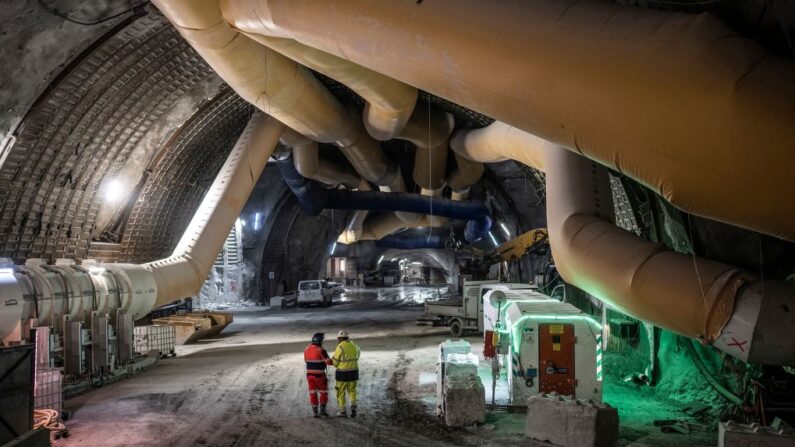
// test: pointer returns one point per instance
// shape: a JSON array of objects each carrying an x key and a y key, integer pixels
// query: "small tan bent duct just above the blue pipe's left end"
[{"x": 310, "y": 165}]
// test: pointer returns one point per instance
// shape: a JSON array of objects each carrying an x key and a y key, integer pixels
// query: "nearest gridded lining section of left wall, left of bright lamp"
[{"x": 82, "y": 131}]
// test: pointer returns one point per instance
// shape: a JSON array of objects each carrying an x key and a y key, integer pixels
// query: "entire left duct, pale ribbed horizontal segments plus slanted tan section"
[{"x": 50, "y": 294}]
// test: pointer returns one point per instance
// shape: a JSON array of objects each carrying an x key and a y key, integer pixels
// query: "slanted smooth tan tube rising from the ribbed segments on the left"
[{"x": 183, "y": 273}]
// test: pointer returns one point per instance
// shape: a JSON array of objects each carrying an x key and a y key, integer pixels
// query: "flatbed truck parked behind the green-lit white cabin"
[{"x": 463, "y": 313}]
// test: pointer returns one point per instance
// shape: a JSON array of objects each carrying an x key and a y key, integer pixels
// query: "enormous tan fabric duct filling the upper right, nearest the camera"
[{"x": 676, "y": 101}]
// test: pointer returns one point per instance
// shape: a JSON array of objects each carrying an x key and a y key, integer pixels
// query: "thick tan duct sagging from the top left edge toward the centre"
[{"x": 280, "y": 87}]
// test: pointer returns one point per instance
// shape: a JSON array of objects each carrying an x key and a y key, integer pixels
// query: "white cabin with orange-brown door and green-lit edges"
[{"x": 552, "y": 347}]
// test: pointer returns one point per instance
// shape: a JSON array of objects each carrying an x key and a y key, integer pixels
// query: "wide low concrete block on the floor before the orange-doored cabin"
[{"x": 571, "y": 422}]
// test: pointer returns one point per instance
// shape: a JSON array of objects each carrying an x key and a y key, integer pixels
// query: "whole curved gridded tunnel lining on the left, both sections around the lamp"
[{"x": 117, "y": 103}]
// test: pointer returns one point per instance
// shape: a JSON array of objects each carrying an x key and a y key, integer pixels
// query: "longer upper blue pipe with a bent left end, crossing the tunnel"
[{"x": 314, "y": 200}]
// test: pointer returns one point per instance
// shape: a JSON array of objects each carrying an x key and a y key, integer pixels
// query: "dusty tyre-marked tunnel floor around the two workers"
[{"x": 248, "y": 388}]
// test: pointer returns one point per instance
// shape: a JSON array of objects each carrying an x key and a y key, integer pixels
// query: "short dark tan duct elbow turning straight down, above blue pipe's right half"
[{"x": 429, "y": 130}]
